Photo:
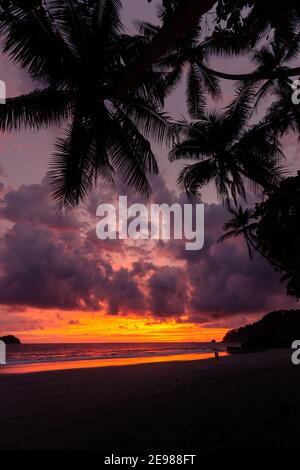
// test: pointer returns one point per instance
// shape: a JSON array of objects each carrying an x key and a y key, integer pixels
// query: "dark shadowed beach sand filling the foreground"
[{"x": 239, "y": 402}]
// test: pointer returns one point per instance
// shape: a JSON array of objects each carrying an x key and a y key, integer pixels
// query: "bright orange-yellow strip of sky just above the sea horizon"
[{"x": 90, "y": 327}]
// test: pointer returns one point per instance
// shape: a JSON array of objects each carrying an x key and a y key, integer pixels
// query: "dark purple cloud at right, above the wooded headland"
[{"x": 224, "y": 282}]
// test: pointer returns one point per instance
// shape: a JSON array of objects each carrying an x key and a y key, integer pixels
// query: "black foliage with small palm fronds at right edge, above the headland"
[{"x": 272, "y": 229}]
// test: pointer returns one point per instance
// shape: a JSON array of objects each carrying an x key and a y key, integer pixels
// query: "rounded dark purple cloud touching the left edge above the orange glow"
[{"x": 45, "y": 269}]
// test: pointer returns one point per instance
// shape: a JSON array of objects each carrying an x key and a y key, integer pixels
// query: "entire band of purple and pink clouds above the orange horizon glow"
[{"x": 53, "y": 263}]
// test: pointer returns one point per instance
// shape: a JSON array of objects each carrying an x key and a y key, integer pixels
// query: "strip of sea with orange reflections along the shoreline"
[{"x": 39, "y": 357}]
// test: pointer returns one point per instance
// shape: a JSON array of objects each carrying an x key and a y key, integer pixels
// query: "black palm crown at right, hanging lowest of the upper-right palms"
[{"x": 229, "y": 152}]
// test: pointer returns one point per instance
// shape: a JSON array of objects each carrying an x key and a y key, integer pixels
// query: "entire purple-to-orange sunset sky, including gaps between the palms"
[{"x": 59, "y": 283}]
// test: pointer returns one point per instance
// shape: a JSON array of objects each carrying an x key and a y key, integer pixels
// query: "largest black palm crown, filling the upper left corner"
[{"x": 75, "y": 51}]
